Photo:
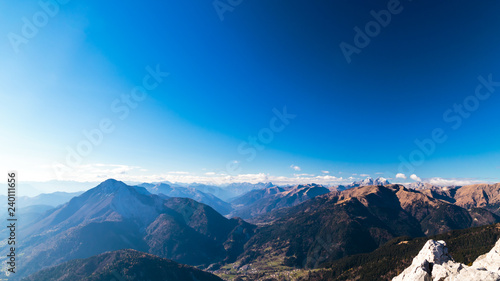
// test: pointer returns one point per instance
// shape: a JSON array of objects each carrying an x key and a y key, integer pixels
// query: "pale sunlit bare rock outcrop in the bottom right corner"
[{"x": 433, "y": 263}]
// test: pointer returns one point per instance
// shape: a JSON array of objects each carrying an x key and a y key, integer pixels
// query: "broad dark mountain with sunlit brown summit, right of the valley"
[{"x": 357, "y": 220}]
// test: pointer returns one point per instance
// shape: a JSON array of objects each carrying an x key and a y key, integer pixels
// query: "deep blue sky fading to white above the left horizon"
[{"x": 227, "y": 78}]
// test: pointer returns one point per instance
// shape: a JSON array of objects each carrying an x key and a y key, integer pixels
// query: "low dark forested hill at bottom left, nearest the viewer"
[{"x": 122, "y": 265}]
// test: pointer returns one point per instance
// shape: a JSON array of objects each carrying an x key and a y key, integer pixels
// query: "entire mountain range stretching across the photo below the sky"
[{"x": 299, "y": 228}]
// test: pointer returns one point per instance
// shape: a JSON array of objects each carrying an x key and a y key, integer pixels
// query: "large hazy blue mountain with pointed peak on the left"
[{"x": 114, "y": 216}]
